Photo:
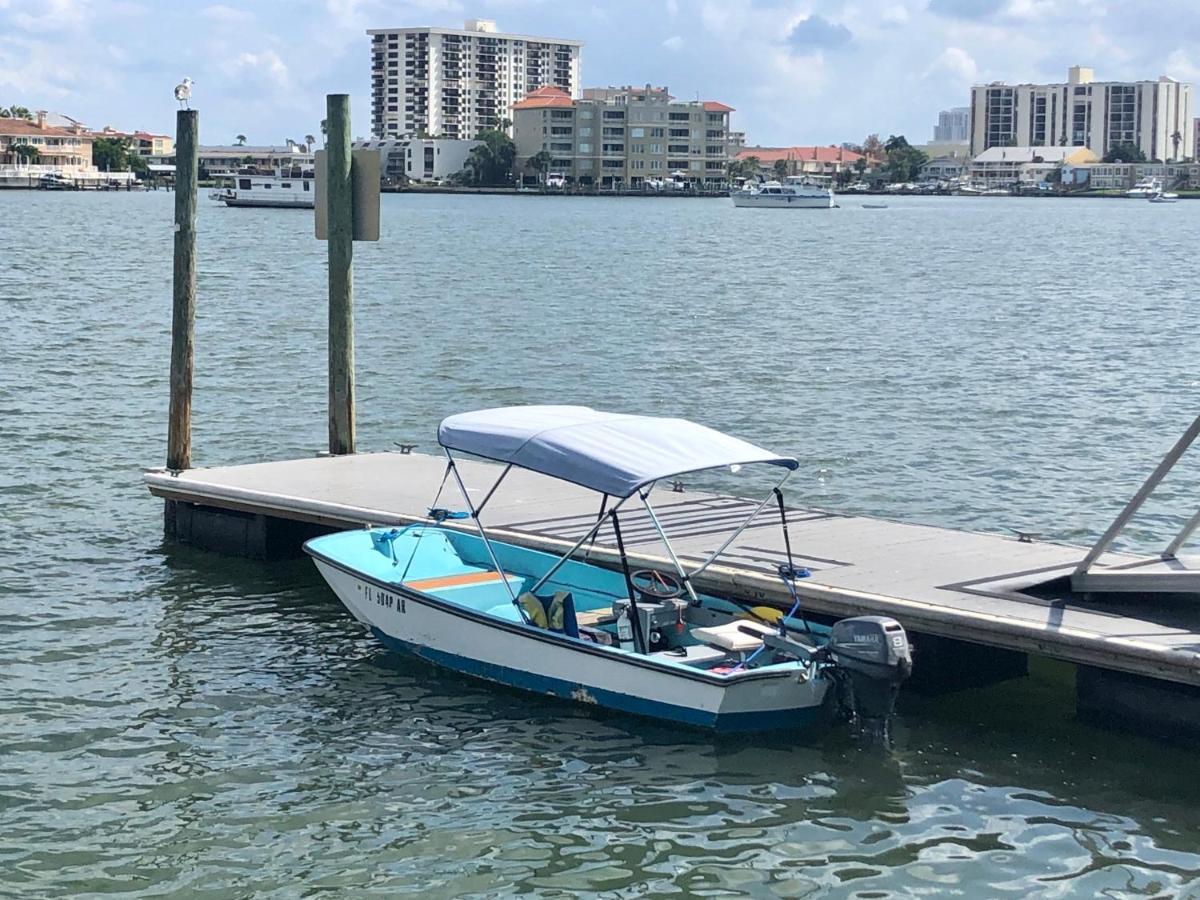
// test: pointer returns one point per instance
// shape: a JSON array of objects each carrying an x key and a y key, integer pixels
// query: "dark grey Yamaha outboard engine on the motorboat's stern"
[{"x": 873, "y": 657}]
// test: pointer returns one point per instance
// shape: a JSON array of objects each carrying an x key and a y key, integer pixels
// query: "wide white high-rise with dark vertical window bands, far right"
[{"x": 1154, "y": 116}]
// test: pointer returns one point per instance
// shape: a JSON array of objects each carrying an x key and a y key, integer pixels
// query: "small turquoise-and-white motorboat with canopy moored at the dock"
[{"x": 646, "y": 641}]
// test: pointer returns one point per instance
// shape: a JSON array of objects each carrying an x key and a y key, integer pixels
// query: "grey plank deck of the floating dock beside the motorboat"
[{"x": 986, "y": 590}]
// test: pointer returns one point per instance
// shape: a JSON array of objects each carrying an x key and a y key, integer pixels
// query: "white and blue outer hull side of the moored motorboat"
[{"x": 547, "y": 663}]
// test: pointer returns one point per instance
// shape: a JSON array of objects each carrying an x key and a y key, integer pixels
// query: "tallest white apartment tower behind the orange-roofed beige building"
[{"x": 454, "y": 83}]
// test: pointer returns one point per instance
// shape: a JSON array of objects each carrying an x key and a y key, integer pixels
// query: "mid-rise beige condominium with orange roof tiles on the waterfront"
[{"x": 614, "y": 137}]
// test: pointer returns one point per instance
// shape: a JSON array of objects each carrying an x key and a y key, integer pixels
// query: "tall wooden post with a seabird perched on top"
[{"x": 183, "y": 325}]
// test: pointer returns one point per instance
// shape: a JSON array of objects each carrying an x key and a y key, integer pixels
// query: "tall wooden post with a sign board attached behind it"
[{"x": 341, "y": 277}]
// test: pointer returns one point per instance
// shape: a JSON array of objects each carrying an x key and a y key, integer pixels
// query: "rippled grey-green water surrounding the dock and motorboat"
[{"x": 175, "y": 723}]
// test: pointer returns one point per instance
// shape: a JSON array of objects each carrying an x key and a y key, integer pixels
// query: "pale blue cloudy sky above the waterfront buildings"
[{"x": 796, "y": 71}]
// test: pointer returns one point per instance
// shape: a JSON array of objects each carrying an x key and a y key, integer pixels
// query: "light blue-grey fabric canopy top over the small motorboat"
[{"x": 610, "y": 453}]
